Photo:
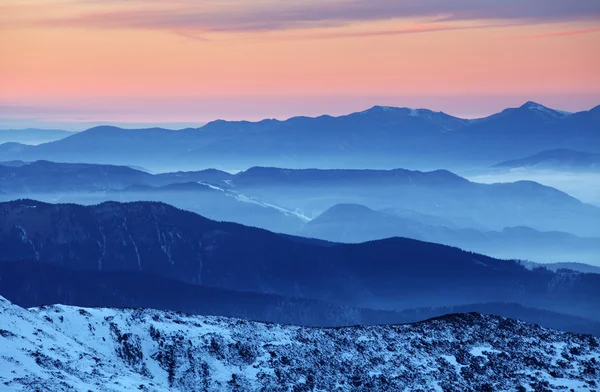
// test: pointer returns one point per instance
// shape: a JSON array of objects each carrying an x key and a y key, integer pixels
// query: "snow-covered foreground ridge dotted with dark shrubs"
[{"x": 61, "y": 348}]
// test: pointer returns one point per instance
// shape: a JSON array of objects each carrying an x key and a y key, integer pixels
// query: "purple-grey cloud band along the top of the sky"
[{"x": 206, "y": 16}]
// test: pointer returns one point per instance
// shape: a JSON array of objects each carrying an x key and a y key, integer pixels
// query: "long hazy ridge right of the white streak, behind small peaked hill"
[{"x": 439, "y": 193}]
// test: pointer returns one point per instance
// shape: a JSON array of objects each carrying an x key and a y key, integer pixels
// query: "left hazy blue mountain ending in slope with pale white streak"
[{"x": 92, "y": 184}]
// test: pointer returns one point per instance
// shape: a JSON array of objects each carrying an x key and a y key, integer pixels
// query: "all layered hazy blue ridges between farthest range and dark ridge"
[{"x": 433, "y": 206}]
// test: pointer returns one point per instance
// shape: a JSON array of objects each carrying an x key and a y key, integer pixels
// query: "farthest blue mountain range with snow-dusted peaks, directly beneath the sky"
[{"x": 380, "y": 137}]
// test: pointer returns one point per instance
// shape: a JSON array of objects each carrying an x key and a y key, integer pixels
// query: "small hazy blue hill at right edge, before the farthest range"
[{"x": 559, "y": 159}]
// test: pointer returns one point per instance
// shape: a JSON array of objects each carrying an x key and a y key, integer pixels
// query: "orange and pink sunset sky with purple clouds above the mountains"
[{"x": 75, "y": 63}]
